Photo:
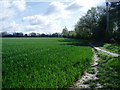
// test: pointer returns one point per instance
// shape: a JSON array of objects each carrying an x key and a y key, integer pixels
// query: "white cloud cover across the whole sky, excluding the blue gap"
[{"x": 56, "y": 17}]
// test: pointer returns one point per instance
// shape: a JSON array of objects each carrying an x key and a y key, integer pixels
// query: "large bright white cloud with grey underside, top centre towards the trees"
[{"x": 61, "y": 10}]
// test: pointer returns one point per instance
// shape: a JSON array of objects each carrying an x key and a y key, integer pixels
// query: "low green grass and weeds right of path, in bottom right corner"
[{"x": 109, "y": 72}]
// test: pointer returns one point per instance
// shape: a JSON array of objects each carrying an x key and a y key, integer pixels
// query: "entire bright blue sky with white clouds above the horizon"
[{"x": 42, "y": 16}]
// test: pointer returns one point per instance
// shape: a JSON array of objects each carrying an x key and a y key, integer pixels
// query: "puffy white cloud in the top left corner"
[{"x": 9, "y": 9}]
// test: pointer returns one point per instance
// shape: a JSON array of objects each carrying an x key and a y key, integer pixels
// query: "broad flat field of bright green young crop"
[{"x": 43, "y": 62}]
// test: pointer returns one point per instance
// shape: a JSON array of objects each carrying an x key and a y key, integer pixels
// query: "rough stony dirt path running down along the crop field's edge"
[{"x": 87, "y": 76}]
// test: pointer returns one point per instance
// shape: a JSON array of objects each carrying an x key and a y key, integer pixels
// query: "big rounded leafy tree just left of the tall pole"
[{"x": 88, "y": 25}]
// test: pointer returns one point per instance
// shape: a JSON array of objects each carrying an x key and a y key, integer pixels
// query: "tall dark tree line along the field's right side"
[{"x": 92, "y": 26}]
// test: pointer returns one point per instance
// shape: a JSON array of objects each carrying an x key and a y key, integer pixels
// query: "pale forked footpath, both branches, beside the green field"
[{"x": 88, "y": 76}]
